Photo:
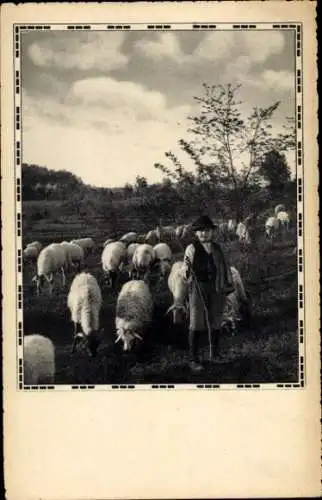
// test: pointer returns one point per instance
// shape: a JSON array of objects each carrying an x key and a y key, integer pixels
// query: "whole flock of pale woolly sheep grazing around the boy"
[{"x": 134, "y": 304}]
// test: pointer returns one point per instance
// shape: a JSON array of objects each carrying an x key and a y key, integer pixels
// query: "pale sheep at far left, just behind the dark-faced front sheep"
[{"x": 51, "y": 260}]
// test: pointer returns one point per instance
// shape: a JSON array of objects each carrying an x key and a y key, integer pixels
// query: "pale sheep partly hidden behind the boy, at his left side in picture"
[{"x": 178, "y": 286}]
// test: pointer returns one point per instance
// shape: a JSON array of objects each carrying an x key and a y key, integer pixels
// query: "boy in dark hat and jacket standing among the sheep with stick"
[{"x": 210, "y": 281}]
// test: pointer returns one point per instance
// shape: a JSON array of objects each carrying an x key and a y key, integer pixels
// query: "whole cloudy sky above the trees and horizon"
[{"x": 107, "y": 105}]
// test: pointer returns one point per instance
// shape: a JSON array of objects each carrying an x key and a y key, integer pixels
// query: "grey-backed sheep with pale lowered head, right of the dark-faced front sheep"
[{"x": 134, "y": 309}]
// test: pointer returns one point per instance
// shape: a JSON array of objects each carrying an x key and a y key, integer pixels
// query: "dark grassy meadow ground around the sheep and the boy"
[{"x": 265, "y": 351}]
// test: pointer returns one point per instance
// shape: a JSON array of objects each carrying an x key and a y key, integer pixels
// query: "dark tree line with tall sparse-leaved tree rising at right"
[{"x": 240, "y": 166}]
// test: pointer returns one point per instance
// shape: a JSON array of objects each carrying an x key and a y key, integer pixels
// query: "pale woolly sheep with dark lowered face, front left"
[{"x": 84, "y": 302}]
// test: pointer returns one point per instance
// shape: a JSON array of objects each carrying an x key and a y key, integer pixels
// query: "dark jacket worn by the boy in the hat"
[{"x": 212, "y": 267}]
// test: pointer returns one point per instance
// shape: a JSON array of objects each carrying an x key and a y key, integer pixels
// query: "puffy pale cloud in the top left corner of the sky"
[{"x": 82, "y": 51}]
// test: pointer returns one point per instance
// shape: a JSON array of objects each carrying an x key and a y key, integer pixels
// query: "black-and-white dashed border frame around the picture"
[{"x": 298, "y": 30}]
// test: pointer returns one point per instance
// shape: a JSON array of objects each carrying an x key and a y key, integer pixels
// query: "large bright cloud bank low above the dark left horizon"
[{"x": 106, "y": 146}]
